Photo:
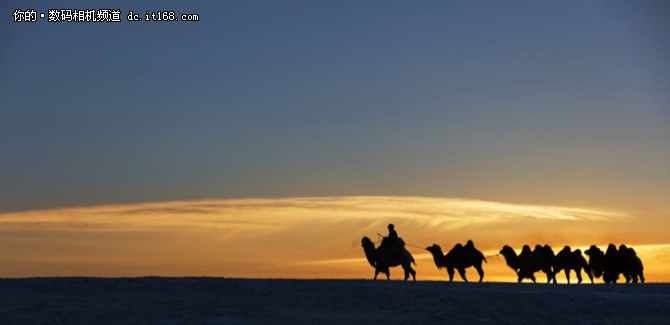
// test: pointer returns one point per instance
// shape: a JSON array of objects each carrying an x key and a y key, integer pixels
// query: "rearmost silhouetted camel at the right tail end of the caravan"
[{"x": 614, "y": 262}]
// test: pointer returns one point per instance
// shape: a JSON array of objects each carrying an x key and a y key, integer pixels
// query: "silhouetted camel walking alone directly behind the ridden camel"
[{"x": 460, "y": 257}]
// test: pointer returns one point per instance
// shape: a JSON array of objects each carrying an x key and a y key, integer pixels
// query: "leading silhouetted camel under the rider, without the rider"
[{"x": 383, "y": 257}]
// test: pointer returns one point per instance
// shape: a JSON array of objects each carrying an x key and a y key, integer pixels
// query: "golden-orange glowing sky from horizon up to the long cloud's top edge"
[{"x": 299, "y": 237}]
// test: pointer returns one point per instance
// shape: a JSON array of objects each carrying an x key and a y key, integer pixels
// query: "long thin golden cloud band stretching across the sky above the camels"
[{"x": 446, "y": 214}]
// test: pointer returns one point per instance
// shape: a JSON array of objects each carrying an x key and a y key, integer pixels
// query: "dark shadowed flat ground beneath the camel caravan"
[{"x": 154, "y": 300}]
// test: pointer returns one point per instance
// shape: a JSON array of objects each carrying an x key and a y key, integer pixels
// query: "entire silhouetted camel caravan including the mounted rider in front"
[{"x": 609, "y": 264}]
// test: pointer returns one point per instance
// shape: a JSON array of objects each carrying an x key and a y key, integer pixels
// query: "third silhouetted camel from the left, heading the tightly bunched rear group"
[{"x": 529, "y": 262}]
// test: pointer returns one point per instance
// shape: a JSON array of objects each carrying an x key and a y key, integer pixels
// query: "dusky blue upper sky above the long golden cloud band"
[{"x": 516, "y": 101}]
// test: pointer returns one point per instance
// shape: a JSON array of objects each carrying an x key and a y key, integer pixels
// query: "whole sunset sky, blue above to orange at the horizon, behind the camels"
[{"x": 561, "y": 109}]
